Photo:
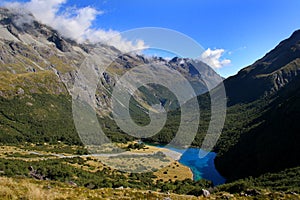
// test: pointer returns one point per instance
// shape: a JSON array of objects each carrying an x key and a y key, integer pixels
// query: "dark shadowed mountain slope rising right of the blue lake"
[{"x": 270, "y": 90}]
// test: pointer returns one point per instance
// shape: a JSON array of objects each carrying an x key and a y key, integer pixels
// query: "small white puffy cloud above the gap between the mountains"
[{"x": 214, "y": 58}]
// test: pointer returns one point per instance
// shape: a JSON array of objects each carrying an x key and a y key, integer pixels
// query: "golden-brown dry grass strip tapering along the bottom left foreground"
[{"x": 22, "y": 188}]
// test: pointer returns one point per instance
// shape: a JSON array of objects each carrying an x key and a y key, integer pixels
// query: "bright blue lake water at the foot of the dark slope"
[{"x": 201, "y": 167}]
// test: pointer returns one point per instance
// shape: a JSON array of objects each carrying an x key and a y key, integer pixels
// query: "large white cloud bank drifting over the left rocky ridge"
[{"x": 75, "y": 23}]
